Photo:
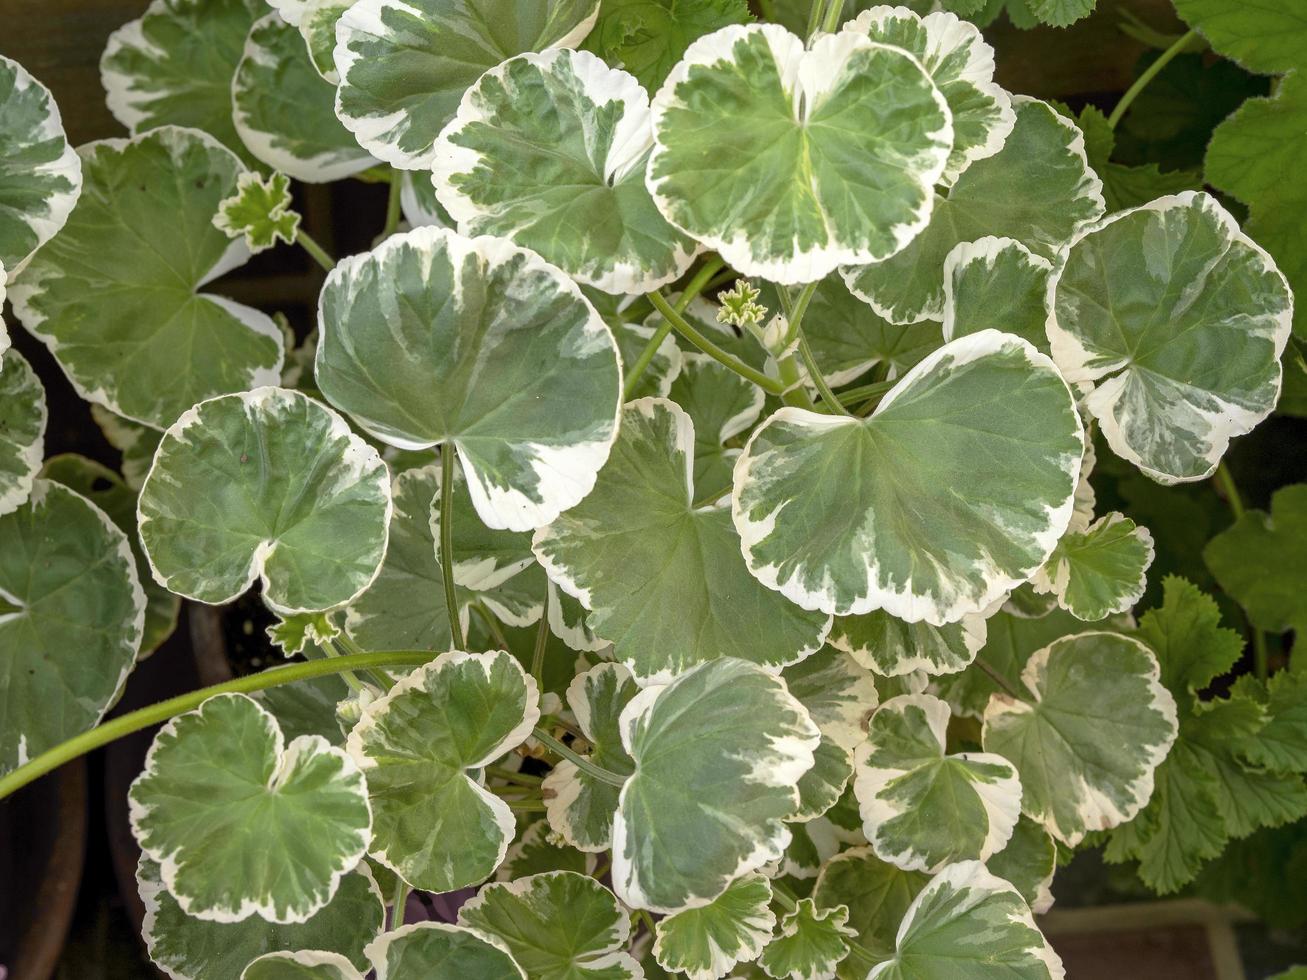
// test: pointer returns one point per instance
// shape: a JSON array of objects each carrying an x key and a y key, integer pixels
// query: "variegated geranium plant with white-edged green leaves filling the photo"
[{"x": 682, "y": 522}]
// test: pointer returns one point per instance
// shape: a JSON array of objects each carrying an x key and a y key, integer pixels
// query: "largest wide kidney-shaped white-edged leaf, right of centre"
[{"x": 953, "y": 492}]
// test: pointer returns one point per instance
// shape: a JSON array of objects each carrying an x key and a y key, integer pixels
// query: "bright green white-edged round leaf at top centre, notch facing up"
[{"x": 790, "y": 163}]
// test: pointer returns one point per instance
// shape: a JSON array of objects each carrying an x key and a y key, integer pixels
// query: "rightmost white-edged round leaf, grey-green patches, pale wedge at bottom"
[{"x": 1180, "y": 319}]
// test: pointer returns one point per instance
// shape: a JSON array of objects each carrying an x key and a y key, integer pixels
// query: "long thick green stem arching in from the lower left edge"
[{"x": 155, "y": 714}]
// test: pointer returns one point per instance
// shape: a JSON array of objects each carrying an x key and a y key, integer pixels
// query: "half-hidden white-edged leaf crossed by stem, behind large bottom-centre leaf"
[{"x": 581, "y": 808}]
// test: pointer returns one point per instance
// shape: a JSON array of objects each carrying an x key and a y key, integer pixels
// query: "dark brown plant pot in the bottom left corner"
[{"x": 44, "y": 828}]
